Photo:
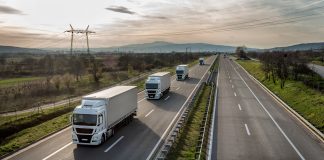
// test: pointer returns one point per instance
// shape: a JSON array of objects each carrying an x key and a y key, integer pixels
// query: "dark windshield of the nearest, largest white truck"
[{"x": 85, "y": 119}]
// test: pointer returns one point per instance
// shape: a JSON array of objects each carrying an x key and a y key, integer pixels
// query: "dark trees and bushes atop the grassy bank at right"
[{"x": 281, "y": 66}]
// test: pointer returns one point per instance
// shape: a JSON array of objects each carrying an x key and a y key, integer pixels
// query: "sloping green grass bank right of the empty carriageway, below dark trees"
[{"x": 308, "y": 102}]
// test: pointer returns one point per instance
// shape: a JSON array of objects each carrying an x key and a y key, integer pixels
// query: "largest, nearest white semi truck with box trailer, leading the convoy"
[{"x": 94, "y": 121}]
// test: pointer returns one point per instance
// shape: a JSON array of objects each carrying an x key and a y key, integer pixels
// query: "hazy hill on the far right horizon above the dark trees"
[{"x": 300, "y": 47}]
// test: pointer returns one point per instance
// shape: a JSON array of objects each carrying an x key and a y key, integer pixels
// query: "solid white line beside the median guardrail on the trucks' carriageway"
[{"x": 174, "y": 118}]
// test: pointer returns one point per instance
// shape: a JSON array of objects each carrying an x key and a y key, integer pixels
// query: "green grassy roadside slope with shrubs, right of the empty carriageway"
[{"x": 298, "y": 91}]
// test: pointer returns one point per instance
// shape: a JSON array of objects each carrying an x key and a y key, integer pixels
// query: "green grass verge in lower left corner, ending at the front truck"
[{"x": 30, "y": 135}]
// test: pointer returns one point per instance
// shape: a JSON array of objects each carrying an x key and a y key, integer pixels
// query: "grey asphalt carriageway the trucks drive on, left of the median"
[{"x": 134, "y": 141}]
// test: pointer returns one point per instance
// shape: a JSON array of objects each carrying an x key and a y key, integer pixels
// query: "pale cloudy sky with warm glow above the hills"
[{"x": 253, "y": 23}]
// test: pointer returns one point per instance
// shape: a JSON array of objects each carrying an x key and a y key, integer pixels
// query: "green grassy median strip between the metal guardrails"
[{"x": 185, "y": 146}]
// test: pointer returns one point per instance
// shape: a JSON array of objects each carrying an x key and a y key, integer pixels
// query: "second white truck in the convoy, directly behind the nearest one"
[{"x": 157, "y": 85}]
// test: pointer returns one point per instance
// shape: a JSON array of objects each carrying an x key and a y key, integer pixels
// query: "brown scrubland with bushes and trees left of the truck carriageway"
[{"x": 33, "y": 80}]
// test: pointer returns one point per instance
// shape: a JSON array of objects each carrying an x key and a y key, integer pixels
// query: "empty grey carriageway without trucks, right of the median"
[{"x": 250, "y": 124}]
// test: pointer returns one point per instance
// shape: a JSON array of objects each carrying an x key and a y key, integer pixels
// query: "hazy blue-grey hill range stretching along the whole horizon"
[{"x": 162, "y": 47}]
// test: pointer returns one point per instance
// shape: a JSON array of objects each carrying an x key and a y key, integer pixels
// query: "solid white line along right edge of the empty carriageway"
[{"x": 273, "y": 120}]
